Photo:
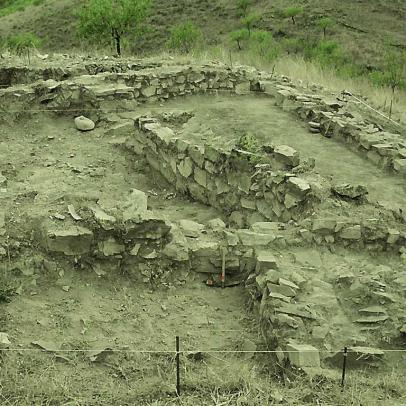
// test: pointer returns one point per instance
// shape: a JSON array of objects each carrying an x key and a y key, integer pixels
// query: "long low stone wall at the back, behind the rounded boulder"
[{"x": 92, "y": 92}]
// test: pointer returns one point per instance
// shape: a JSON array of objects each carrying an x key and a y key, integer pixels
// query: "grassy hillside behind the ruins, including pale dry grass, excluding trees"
[{"x": 364, "y": 31}]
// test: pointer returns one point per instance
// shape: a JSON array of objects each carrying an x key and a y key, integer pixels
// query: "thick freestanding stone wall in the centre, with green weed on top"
[{"x": 228, "y": 180}]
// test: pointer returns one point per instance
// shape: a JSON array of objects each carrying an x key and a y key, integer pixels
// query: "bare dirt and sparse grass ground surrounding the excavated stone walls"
[{"x": 104, "y": 318}]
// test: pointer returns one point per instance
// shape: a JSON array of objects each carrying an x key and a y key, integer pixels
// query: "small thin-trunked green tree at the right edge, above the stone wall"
[{"x": 393, "y": 75}]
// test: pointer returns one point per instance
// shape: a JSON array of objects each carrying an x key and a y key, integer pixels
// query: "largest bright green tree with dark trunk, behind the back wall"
[{"x": 101, "y": 20}]
